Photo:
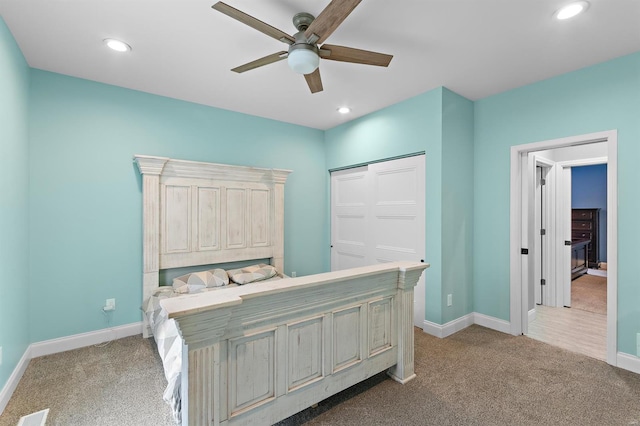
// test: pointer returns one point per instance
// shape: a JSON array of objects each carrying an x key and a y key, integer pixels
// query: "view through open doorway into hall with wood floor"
[{"x": 577, "y": 319}]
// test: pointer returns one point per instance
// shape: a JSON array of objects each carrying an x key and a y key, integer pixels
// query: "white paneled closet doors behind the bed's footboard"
[{"x": 377, "y": 216}]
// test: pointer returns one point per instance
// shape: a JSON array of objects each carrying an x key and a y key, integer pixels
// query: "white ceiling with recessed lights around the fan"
[{"x": 183, "y": 49}]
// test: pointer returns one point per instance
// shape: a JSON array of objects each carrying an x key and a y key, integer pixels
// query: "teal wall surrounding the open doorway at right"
[{"x": 598, "y": 98}]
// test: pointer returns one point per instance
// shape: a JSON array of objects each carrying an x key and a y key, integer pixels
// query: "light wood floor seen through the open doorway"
[{"x": 572, "y": 329}]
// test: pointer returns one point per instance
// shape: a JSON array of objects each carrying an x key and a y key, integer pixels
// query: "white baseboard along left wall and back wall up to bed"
[{"x": 63, "y": 344}]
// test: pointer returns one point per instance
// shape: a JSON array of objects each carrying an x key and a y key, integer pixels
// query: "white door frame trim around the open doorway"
[{"x": 520, "y": 232}]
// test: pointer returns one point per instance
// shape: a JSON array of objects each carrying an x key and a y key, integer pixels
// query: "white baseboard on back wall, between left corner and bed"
[{"x": 81, "y": 340}]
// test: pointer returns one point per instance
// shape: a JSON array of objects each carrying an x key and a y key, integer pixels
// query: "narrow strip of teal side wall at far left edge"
[{"x": 14, "y": 204}]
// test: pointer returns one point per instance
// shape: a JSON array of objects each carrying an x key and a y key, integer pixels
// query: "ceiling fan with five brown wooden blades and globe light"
[{"x": 304, "y": 53}]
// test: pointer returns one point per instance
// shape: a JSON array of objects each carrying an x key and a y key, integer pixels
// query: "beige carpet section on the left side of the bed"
[{"x": 119, "y": 384}]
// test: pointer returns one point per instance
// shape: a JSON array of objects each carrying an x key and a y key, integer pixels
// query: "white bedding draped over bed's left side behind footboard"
[{"x": 169, "y": 342}]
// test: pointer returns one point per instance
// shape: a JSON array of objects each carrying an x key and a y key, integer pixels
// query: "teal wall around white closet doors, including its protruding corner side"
[{"x": 440, "y": 123}]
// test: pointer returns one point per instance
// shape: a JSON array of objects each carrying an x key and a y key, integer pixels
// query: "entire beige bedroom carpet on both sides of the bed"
[{"x": 475, "y": 377}]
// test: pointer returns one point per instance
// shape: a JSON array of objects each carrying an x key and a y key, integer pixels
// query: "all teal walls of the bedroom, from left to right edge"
[{"x": 70, "y": 223}]
